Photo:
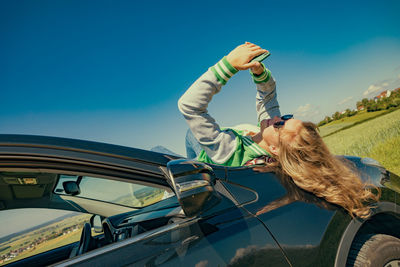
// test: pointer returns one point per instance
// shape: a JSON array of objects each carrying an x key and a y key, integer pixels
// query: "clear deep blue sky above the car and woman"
[{"x": 112, "y": 71}]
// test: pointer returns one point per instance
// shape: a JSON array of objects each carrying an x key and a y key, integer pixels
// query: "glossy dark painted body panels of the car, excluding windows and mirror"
[{"x": 321, "y": 241}]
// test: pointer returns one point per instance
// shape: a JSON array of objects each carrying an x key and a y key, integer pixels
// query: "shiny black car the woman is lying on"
[{"x": 131, "y": 207}]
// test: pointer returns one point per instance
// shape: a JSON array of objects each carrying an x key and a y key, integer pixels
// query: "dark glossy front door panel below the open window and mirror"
[{"x": 220, "y": 239}]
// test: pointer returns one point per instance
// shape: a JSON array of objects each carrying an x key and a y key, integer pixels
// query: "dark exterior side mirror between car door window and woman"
[{"x": 193, "y": 184}]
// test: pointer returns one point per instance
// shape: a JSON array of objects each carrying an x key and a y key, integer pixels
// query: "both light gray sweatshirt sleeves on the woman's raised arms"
[{"x": 220, "y": 145}]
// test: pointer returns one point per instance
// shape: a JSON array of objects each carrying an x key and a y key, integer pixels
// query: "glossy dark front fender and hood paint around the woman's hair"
[{"x": 327, "y": 237}]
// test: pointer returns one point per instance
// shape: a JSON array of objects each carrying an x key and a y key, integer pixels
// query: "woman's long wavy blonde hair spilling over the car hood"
[{"x": 308, "y": 161}]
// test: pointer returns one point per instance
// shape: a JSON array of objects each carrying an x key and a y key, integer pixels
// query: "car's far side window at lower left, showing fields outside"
[{"x": 27, "y": 232}]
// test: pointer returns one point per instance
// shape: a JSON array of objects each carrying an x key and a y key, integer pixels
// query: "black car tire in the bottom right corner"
[{"x": 374, "y": 250}]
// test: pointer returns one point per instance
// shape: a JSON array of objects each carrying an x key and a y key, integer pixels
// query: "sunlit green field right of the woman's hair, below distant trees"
[{"x": 377, "y": 138}]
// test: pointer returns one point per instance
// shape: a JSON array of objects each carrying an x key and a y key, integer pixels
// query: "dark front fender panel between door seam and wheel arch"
[{"x": 297, "y": 219}]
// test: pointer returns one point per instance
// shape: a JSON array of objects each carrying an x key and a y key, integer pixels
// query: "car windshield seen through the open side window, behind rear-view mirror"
[{"x": 129, "y": 194}]
